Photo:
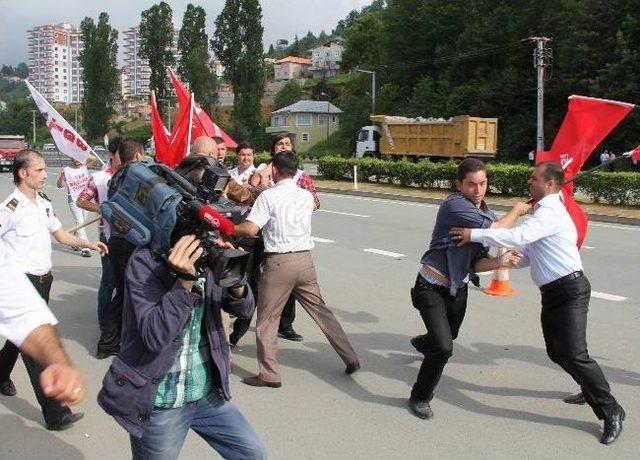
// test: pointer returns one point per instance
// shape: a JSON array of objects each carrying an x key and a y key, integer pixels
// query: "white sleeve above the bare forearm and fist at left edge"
[{"x": 21, "y": 307}]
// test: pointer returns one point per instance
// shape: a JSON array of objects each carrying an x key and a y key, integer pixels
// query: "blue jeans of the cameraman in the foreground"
[{"x": 220, "y": 423}]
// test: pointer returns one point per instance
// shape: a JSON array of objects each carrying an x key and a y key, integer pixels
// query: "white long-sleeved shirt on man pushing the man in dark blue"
[{"x": 548, "y": 240}]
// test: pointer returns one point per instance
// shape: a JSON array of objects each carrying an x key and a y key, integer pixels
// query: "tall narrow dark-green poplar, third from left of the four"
[{"x": 193, "y": 46}]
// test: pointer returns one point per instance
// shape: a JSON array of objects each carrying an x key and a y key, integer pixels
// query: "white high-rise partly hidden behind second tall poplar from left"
[{"x": 136, "y": 69}]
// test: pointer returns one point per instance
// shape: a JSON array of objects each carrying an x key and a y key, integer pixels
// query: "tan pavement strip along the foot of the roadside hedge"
[{"x": 629, "y": 215}]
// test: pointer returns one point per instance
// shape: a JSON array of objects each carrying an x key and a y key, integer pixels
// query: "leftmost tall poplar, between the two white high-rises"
[{"x": 100, "y": 74}]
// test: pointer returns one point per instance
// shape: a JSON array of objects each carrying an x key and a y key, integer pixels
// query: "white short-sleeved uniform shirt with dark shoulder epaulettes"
[{"x": 25, "y": 229}]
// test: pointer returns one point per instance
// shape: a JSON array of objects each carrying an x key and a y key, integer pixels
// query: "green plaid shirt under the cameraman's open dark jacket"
[{"x": 189, "y": 378}]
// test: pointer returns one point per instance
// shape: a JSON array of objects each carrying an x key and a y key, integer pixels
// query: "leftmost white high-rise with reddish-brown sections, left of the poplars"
[{"x": 54, "y": 66}]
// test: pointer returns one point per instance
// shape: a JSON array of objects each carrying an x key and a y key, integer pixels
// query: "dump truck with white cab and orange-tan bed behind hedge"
[{"x": 457, "y": 137}]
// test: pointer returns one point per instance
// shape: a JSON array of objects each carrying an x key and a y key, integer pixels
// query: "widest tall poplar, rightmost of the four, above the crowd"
[{"x": 237, "y": 43}]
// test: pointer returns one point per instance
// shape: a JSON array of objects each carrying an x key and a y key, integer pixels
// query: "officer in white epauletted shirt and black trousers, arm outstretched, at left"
[{"x": 26, "y": 220}]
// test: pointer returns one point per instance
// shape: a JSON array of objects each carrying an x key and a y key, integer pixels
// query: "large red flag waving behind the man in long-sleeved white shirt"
[{"x": 587, "y": 122}]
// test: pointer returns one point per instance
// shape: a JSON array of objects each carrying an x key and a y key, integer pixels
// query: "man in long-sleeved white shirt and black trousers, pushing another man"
[{"x": 548, "y": 241}]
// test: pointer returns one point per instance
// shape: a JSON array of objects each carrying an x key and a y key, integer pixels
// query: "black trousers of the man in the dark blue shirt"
[{"x": 442, "y": 315}]
